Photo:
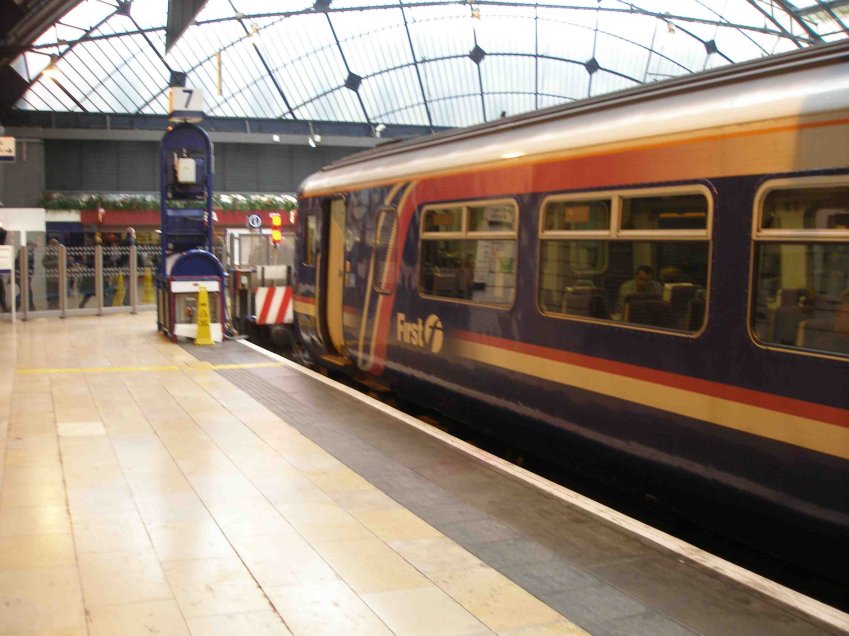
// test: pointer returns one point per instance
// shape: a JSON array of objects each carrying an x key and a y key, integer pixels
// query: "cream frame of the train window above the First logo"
[{"x": 465, "y": 234}]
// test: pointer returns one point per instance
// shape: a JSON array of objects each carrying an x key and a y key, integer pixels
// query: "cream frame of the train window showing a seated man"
[{"x": 615, "y": 233}]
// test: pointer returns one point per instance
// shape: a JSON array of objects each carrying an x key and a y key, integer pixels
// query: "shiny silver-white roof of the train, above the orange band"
[{"x": 810, "y": 81}]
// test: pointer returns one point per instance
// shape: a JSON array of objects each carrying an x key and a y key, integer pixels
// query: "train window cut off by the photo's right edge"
[{"x": 800, "y": 294}]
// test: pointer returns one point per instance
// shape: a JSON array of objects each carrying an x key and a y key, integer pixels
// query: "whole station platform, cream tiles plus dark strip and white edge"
[{"x": 156, "y": 488}]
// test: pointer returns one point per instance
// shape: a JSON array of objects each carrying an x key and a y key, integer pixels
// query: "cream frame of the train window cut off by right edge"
[{"x": 796, "y": 236}]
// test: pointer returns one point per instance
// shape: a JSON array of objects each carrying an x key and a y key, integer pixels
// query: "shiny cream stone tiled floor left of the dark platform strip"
[{"x": 144, "y": 493}]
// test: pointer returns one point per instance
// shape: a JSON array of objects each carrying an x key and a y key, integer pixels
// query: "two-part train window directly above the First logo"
[{"x": 469, "y": 252}]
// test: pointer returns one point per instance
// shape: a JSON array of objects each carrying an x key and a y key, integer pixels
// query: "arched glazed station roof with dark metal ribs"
[{"x": 422, "y": 63}]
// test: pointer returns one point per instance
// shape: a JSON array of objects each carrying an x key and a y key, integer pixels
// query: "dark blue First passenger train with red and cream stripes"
[{"x": 658, "y": 278}]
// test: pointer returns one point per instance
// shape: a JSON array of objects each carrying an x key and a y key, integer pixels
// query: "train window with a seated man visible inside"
[{"x": 636, "y": 257}]
